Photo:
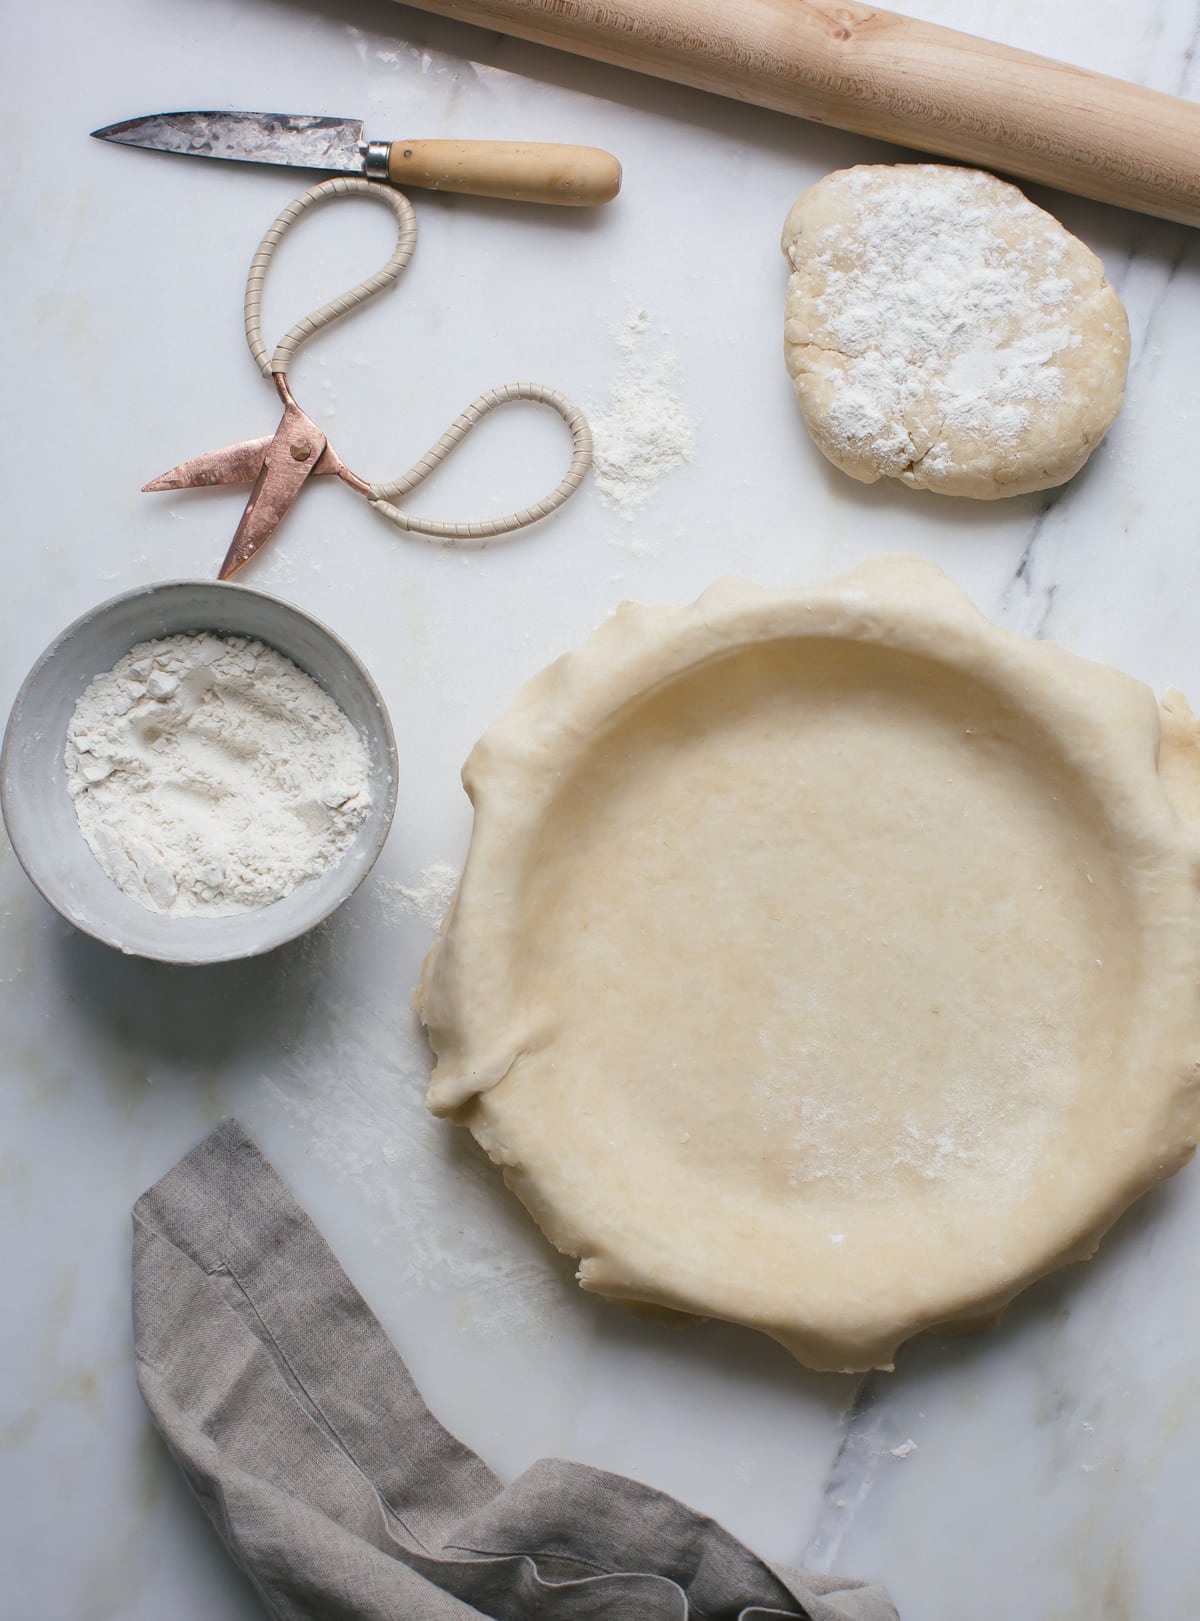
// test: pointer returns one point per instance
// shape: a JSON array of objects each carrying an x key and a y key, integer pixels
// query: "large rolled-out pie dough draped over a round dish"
[{"x": 826, "y": 960}]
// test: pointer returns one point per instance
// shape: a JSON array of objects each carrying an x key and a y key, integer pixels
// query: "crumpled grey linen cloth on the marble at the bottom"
[{"x": 333, "y": 1486}]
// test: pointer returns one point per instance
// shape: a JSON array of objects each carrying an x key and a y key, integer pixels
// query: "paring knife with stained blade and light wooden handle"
[{"x": 525, "y": 173}]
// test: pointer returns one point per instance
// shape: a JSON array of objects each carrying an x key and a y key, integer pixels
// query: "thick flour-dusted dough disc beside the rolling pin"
[{"x": 945, "y": 331}]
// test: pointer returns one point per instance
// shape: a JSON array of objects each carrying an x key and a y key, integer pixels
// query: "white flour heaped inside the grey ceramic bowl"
[{"x": 212, "y": 776}]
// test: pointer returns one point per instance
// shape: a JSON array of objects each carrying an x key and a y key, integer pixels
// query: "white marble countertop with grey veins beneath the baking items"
[{"x": 1053, "y": 1465}]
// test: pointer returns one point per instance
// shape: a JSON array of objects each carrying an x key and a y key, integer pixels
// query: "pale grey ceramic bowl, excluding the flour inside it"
[{"x": 40, "y": 815}]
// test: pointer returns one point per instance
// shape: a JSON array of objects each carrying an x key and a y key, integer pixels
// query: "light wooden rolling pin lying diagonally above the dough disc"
[{"x": 896, "y": 80}]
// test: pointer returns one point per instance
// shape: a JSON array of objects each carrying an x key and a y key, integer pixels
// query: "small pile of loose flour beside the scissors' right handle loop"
[{"x": 643, "y": 430}]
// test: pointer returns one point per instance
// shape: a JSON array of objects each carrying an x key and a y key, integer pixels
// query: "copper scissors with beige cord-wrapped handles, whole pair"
[{"x": 281, "y": 464}]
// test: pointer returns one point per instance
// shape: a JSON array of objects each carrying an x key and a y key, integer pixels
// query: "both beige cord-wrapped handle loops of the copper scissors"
[{"x": 382, "y": 495}]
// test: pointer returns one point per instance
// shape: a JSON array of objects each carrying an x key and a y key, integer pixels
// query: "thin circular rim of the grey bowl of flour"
[{"x": 153, "y": 589}]
